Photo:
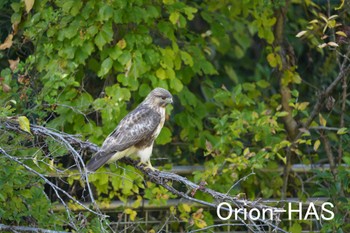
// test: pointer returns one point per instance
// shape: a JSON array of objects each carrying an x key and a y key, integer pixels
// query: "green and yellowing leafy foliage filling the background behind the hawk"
[{"x": 238, "y": 73}]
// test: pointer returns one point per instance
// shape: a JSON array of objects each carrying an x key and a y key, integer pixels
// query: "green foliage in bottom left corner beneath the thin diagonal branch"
[{"x": 22, "y": 198}]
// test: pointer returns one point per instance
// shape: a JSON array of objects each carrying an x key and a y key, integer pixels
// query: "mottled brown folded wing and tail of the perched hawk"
[{"x": 134, "y": 127}]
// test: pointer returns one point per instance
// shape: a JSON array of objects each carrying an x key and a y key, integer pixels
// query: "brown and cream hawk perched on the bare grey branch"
[{"x": 136, "y": 132}]
